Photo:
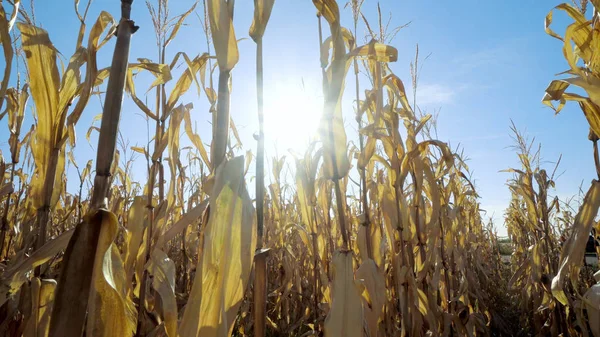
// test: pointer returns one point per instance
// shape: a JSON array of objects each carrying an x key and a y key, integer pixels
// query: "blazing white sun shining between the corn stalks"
[{"x": 292, "y": 114}]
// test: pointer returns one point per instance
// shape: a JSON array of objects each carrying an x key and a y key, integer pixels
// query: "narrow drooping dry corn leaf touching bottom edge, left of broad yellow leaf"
[{"x": 163, "y": 271}]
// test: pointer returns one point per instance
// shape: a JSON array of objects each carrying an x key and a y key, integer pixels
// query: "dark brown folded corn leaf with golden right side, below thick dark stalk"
[{"x": 92, "y": 279}]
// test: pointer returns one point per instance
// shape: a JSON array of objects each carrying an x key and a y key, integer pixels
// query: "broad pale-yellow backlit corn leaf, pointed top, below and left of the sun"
[{"x": 224, "y": 269}]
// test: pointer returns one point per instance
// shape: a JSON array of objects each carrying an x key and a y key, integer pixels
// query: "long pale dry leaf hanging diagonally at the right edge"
[{"x": 573, "y": 250}]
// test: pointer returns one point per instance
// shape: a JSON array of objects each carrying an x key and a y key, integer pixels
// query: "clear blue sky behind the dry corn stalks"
[{"x": 489, "y": 62}]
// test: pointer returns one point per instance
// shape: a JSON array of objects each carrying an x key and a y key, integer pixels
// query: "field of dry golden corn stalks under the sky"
[{"x": 213, "y": 243}]
